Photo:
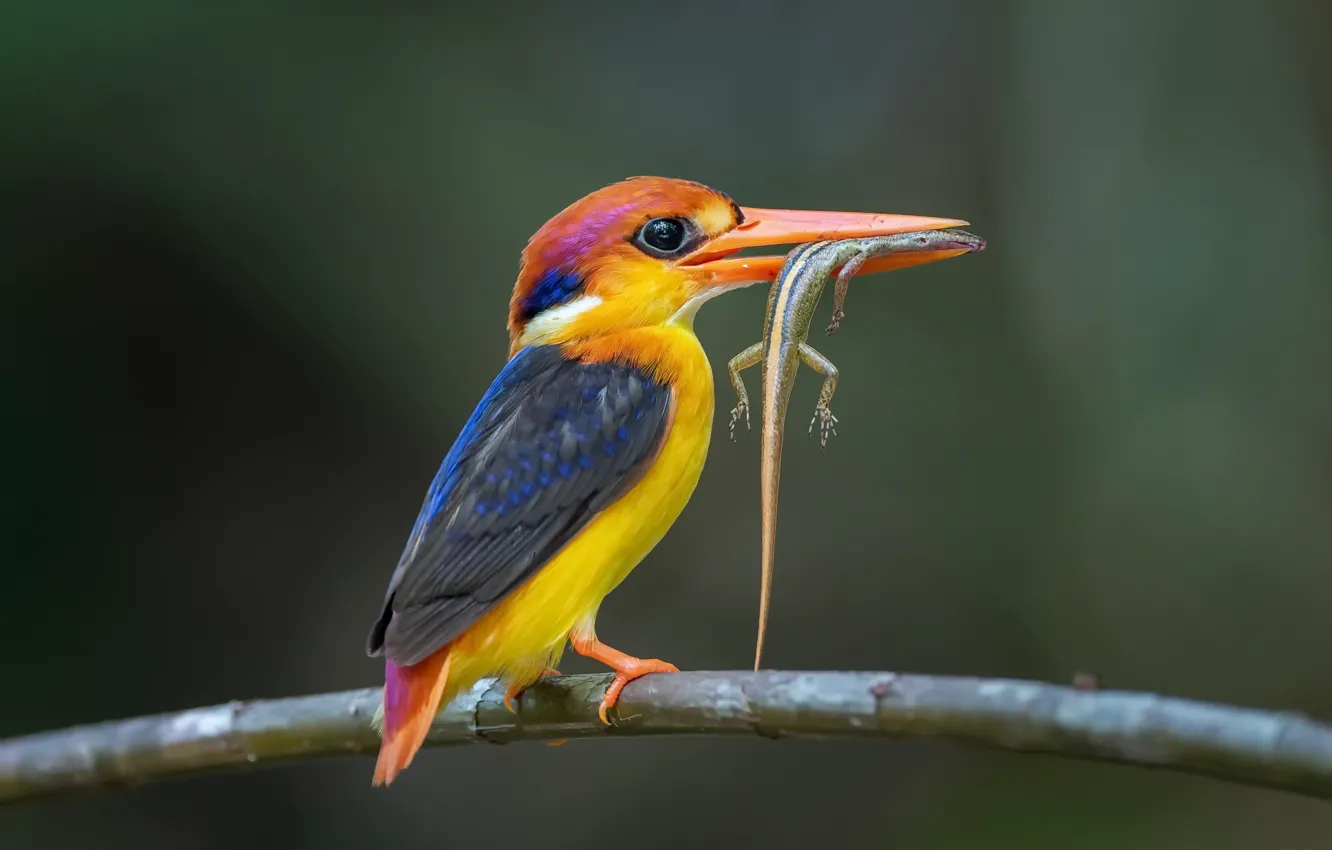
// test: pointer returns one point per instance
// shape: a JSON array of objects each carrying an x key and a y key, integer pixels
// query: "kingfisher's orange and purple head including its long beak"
[{"x": 649, "y": 251}]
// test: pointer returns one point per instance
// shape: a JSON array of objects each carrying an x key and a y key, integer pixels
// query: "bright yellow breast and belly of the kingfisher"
[{"x": 527, "y": 632}]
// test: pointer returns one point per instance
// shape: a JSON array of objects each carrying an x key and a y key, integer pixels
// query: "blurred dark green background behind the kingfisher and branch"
[{"x": 255, "y": 268}]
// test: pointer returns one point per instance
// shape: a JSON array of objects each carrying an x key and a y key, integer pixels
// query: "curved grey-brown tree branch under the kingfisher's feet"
[{"x": 1279, "y": 751}]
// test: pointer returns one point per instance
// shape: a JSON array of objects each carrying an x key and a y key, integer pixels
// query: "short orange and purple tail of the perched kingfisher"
[{"x": 412, "y": 699}]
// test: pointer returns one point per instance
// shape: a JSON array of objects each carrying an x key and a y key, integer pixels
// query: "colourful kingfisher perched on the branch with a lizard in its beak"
[{"x": 584, "y": 450}]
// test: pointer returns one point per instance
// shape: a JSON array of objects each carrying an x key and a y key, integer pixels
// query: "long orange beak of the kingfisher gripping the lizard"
[{"x": 788, "y": 227}]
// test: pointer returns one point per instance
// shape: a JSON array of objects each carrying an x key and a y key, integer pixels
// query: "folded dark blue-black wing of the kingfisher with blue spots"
[{"x": 552, "y": 443}]
